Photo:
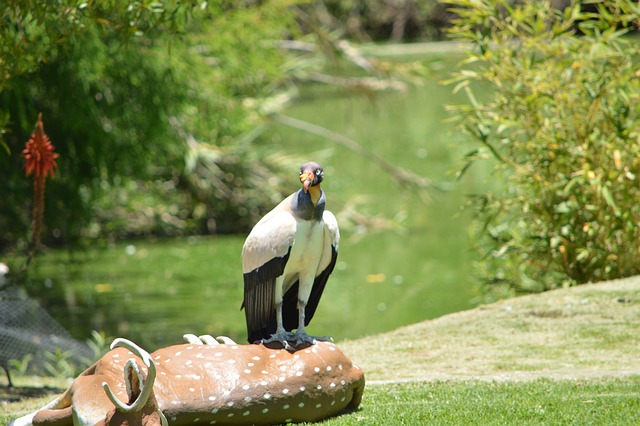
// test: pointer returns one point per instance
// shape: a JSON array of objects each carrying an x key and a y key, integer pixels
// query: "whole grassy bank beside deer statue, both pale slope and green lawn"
[{"x": 493, "y": 364}]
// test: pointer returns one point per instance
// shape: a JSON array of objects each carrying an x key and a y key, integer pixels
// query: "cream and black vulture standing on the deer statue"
[{"x": 286, "y": 260}]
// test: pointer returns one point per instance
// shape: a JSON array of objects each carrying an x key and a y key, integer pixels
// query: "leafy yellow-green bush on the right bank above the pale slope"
[{"x": 562, "y": 126}]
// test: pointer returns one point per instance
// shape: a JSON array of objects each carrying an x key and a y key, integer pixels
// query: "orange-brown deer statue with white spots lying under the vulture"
[{"x": 207, "y": 381}]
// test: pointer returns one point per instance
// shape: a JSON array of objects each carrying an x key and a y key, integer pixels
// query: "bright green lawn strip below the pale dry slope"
[{"x": 539, "y": 402}]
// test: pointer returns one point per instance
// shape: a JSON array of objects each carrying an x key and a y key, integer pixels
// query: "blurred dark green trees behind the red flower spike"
[{"x": 130, "y": 92}]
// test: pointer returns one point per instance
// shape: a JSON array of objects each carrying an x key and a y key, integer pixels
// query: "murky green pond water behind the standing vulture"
[{"x": 413, "y": 264}]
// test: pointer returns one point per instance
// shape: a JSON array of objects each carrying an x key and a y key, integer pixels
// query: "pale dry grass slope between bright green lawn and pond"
[{"x": 580, "y": 332}]
